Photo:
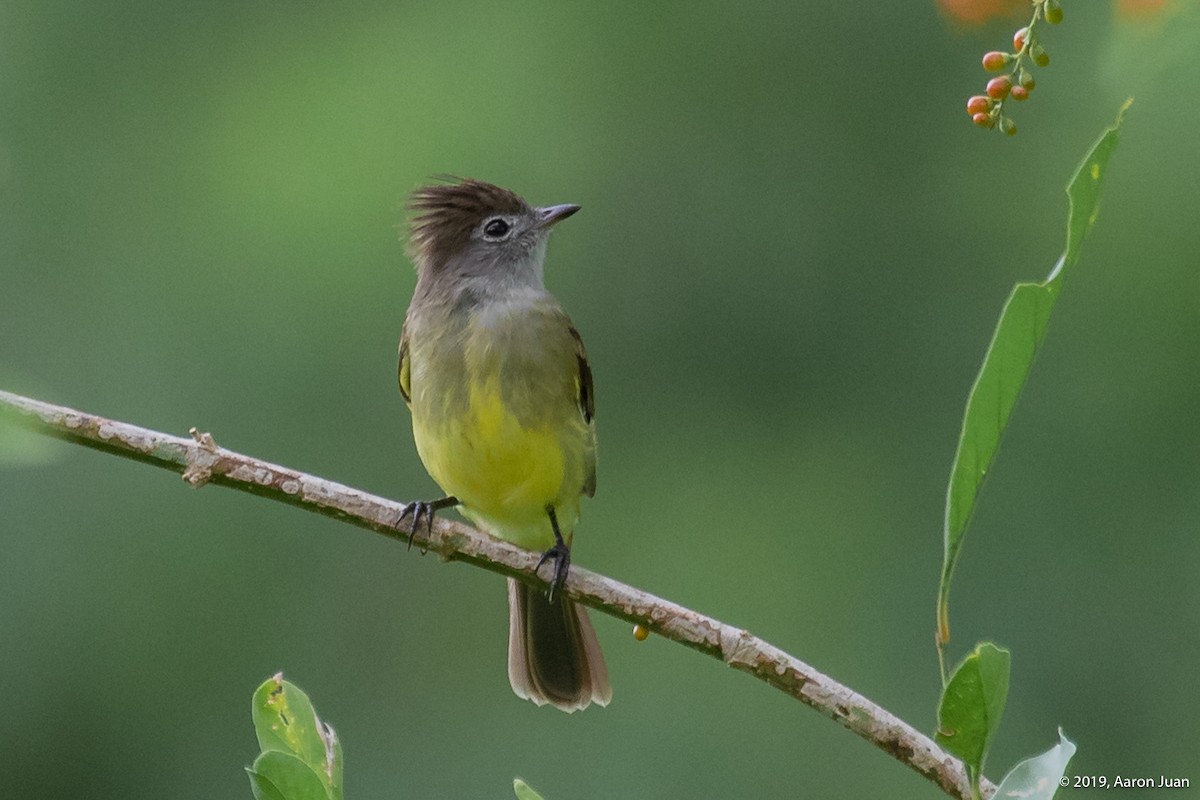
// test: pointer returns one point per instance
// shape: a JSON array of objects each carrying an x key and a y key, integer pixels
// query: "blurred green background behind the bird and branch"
[{"x": 793, "y": 252}]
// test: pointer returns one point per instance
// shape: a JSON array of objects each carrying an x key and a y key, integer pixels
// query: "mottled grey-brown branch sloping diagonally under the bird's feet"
[{"x": 201, "y": 461}]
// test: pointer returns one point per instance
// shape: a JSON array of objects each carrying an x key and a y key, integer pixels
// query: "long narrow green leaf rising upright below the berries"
[{"x": 1015, "y": 345}]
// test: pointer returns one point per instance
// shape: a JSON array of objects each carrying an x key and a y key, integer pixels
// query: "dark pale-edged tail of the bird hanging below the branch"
[{"x": 554, "y": 654}]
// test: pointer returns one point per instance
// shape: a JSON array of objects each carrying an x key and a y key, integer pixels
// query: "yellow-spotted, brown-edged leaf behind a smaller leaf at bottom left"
[{"x": 286, "y": 723}]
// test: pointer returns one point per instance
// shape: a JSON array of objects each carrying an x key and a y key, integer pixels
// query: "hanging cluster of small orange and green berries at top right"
[{"x": 988, "y": 110}]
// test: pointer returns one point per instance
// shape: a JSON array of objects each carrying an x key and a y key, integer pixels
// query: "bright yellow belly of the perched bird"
[{"x": 503, "y": 473}]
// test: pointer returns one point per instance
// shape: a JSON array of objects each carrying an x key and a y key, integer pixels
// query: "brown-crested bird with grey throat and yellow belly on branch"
[{"x": 500, "y": 389}]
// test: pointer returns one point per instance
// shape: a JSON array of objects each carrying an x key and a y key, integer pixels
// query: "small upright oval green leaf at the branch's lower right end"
[{"x": 973, "y": 705}]
